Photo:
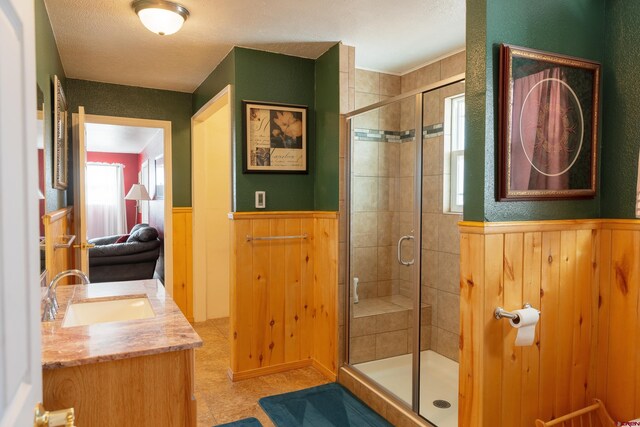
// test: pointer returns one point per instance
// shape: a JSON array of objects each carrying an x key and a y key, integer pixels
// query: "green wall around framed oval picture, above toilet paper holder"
[{"x": 572, "y": 27}]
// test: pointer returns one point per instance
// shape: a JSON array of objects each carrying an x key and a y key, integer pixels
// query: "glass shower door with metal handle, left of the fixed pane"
[{"x": 384, "y": 230}]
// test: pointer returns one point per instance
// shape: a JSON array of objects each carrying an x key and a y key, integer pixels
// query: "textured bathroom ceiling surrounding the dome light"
[{"x": 103, "y": 40}]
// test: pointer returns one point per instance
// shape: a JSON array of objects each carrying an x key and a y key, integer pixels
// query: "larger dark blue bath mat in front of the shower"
[{"x": 323, "y": 406}]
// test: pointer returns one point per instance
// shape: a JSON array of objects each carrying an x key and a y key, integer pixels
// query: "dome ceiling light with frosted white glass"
[{"x": 160, "y": 16}]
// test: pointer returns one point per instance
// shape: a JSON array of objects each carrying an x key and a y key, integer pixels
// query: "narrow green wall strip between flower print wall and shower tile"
[{"x": 326, "y": 186}]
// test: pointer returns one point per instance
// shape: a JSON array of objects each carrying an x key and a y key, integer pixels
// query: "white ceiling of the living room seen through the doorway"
[{"x": 118, "y": 139}]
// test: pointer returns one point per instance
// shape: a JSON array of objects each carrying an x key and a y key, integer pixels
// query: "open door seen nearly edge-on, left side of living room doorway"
[{"x": 79, "y": 209}]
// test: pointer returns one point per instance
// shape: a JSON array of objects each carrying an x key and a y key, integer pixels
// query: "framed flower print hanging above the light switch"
[{"x": 275, "y": 138}]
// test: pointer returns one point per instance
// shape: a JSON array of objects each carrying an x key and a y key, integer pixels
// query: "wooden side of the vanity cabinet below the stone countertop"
[{"x": 156, "y": 390}]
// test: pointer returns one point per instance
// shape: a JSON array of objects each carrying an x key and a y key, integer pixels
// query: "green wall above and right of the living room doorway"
[{"x": 128, "y": 101}]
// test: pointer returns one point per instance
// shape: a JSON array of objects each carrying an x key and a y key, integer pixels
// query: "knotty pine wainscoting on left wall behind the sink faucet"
[{"x": 57, "y": 225}]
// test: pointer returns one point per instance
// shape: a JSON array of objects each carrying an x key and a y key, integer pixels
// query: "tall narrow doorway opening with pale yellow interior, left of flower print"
[{"x": 212, "y": 154}]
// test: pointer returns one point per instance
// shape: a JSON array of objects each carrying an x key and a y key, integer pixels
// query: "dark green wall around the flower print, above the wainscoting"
[{"x": 269, "y": 77}]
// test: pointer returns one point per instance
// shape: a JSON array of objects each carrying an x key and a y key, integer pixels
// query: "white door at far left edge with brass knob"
[{"x": 20, "y": 363}]
